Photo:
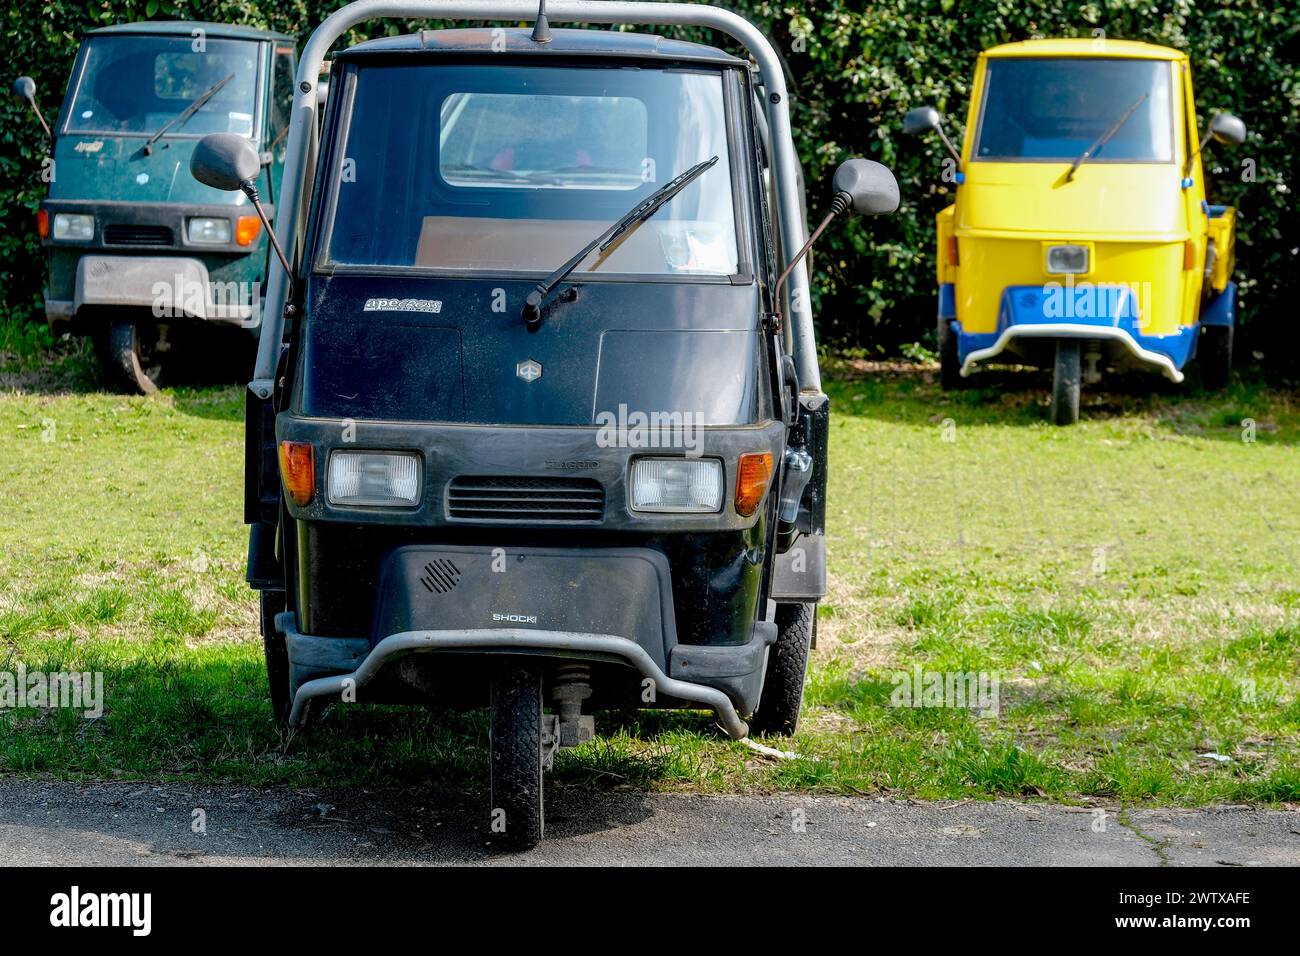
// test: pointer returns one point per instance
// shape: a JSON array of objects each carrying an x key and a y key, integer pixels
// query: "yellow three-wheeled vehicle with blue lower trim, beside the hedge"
[{"x": 1081, "y": 237}]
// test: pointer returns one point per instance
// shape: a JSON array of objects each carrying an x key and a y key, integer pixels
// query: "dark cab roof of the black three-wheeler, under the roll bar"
[{"x": 612, "y": 44}]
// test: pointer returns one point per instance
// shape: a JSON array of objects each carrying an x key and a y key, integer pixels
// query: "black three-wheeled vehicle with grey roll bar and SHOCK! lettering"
[{"x": 531, "y": 431}]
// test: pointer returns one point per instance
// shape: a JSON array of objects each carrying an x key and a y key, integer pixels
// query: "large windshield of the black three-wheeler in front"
[{"x": 499, "y": 170}]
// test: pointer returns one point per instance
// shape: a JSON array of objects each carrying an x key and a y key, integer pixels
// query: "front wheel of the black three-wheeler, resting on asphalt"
[{"x": 515, "y": 741}]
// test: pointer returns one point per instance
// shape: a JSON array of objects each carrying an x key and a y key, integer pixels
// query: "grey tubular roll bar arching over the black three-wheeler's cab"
[{"x": 301, "y": 146}]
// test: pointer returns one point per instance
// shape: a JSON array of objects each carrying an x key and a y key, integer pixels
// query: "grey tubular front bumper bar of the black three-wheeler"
[{"x": 512, "y": 641}]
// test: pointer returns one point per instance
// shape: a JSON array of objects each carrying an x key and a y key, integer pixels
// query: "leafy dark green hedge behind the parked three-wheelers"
[{"x": 859, "y": 67}]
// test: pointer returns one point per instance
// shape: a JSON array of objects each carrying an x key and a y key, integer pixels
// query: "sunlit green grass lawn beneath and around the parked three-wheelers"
[{"x": 1133, "y": 583}]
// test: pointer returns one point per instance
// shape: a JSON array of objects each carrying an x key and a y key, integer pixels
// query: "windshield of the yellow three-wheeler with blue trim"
[{"x": 1047, "y": 110}]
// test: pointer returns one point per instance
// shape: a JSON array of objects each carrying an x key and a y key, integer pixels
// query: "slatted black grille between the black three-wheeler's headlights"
[{"x": 526, "y": 499}]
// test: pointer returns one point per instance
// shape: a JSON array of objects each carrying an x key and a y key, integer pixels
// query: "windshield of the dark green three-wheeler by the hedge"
[{"x": 136, "y": 85}]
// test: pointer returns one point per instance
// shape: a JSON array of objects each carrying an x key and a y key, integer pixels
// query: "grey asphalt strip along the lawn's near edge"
[{"x": 133, "y": 824}]
